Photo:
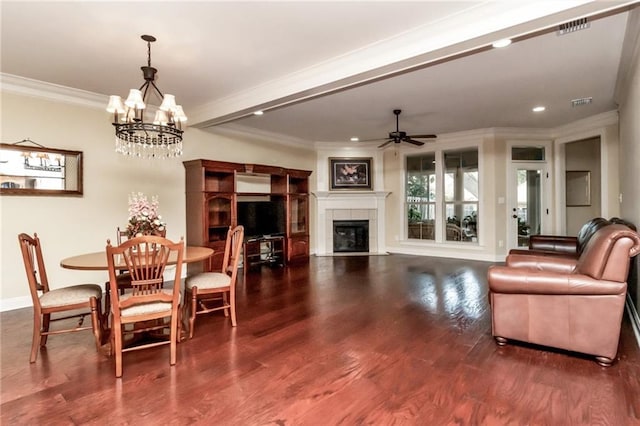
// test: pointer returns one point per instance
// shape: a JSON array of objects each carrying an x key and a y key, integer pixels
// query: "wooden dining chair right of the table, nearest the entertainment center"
[{"x": 213, "y": 291}]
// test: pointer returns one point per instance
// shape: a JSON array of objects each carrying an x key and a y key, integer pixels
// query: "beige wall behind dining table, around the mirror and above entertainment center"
[{"x": 73, "y": 225}]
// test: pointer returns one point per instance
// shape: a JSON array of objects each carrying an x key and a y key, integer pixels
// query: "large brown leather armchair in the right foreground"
[{"x": 571, "y": 304}]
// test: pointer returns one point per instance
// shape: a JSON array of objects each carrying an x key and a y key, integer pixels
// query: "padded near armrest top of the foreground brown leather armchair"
[{"x": 503, "y": 279}]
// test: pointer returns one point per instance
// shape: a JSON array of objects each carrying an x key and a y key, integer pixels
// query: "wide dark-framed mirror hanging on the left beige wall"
[{"x": 27, "y": 170}]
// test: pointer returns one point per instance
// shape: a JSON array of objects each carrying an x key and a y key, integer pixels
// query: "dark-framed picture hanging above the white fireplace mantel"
[{"x": 350, "y": 174}]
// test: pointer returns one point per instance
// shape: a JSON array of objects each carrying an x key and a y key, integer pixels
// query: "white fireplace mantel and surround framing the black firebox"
[{"x": 350, "y": 205}]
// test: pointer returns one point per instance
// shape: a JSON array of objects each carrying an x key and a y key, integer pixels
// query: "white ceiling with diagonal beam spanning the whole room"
[{"x": 307, "y": 63}]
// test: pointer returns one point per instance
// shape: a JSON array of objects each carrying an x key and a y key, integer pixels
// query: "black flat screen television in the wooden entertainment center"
[{"x": 261, "y": 218}]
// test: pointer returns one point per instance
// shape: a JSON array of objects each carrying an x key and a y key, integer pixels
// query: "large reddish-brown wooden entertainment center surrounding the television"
[{"x": 212, "y": 198}]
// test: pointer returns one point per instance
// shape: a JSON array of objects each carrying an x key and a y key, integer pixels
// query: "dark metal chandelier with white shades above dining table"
[{"x": 135, "y": 136}]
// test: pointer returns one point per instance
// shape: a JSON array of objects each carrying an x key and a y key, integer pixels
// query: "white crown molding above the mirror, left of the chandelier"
[{"x": 39, "y": 89}]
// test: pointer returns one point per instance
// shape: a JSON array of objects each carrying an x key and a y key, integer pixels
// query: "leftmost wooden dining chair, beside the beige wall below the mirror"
[{"x": 47, "y": 301}]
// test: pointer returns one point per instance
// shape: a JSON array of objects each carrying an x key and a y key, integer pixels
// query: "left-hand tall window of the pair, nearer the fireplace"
[{"x": 421, "y": 196}]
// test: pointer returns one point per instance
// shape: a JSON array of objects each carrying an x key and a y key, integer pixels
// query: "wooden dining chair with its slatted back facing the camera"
[{"x": 146, "y": 305}]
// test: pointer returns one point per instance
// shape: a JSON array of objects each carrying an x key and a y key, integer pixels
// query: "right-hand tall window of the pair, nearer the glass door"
[{"x": 461, "y": 189}]
